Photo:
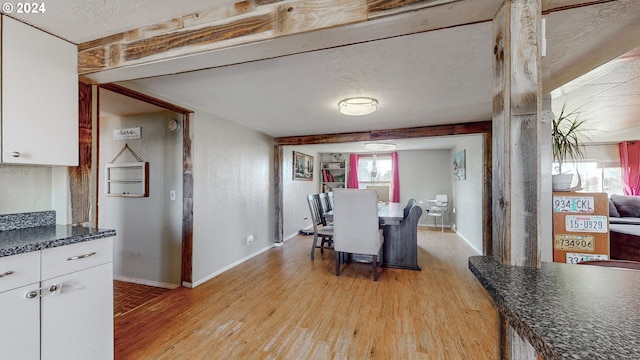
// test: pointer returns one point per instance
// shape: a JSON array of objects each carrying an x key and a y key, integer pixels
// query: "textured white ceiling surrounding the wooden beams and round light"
[{"x": 291, "y": 86}]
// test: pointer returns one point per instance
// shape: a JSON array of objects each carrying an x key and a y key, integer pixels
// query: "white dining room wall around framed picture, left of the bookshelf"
[{"x": 295, "y": 207}]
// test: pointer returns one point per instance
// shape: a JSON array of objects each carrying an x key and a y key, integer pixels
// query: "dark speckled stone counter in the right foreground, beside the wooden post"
[{"x": 567, "y": 311}]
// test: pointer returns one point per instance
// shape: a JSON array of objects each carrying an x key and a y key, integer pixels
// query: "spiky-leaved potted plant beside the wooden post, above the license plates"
[{"x": 567, "y": 134}]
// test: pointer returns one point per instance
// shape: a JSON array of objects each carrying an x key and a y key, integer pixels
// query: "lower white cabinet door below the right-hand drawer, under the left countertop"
[{"x": 77, "y": 315}]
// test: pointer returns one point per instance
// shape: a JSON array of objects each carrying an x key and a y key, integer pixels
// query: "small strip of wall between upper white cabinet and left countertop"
[{"x": 25, "y": 188}]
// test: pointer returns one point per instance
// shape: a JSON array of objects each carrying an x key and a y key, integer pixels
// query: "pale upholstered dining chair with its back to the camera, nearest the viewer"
[{"x": 355, "y": 225}]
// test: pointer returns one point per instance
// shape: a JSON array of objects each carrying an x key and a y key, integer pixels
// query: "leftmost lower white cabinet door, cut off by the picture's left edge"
[{"x": 20, "y": 329}]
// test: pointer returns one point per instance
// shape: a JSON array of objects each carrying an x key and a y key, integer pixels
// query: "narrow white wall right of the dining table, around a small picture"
[{"x": 467, "y": 207}]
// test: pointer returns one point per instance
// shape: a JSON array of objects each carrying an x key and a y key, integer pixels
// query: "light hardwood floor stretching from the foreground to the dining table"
[{"x": 282, "y": 305}]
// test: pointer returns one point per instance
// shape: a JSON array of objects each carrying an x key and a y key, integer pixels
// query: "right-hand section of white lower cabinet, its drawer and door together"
[{"x": 77, "y": 301}]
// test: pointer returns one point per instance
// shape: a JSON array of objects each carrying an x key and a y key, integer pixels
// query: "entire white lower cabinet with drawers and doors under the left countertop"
[{"x": 68, "y": 312}]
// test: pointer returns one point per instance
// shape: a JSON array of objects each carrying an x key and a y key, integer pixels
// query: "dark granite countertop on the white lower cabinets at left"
[{"x": 20, "y": 241}]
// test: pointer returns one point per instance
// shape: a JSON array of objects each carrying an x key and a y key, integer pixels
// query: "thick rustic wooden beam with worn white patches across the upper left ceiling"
[{"x": 234, "y": 24}]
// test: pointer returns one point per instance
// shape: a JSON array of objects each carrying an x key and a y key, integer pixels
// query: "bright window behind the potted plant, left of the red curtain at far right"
[{"x": 598, "y": 177}]
